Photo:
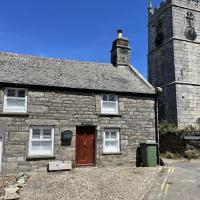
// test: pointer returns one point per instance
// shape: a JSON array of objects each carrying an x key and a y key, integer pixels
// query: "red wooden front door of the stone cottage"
[{"x": 85, "y": 146}]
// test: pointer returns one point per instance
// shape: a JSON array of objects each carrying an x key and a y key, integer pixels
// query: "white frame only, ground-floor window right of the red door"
[{"x": 105, "y": 150}]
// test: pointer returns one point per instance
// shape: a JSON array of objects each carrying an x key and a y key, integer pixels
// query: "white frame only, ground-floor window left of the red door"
[{"x": 41, "y": 153}]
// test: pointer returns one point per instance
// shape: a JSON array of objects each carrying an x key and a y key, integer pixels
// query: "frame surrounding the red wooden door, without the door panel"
[{"x": 95, "y": 147}]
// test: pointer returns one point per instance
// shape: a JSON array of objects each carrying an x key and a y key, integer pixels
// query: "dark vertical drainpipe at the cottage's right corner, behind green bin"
[{"x": 158, "y": 91}]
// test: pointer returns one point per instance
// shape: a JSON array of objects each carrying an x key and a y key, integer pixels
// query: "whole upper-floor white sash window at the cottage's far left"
[{"x": 15, "y": 100}]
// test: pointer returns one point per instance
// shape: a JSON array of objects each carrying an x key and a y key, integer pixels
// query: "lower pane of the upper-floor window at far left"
[{"x": 15, "y": 104}]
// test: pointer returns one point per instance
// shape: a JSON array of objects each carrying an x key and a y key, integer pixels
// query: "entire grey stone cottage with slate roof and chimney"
[{"x": 92, "y": 114}]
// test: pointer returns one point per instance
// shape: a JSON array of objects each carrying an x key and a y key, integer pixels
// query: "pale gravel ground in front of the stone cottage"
[{"x": 90, "y": 183}]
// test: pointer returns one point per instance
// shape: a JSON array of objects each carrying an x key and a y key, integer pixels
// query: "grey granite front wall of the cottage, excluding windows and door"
[{"x": 67, "y": 110}]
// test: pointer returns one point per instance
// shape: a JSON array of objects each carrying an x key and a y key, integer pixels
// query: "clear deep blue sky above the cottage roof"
[{"x": 74, "y": 29}]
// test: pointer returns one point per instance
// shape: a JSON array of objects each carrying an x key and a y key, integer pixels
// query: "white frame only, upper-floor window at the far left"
[{"x": 7, "y": 109}]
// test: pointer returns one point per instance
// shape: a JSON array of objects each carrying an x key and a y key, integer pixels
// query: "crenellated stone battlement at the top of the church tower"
[{"x": 156, "y": 11}]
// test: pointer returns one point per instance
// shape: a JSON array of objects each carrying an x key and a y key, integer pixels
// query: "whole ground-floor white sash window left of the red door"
[{"x": 41, "y": 141}]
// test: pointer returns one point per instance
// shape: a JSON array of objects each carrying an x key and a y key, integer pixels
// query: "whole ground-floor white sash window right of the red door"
[{"x": 111, "y": 141}]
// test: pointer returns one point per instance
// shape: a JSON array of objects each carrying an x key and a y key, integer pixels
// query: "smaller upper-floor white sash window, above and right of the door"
[{"x": 109, "y": 104}]
